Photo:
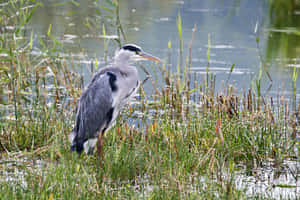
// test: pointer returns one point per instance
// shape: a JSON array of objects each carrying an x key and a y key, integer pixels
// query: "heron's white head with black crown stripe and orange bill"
[{"x": 132, "y": 52}]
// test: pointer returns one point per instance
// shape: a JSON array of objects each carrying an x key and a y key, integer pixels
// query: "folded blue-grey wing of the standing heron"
[{"x": 95, "y": 108}]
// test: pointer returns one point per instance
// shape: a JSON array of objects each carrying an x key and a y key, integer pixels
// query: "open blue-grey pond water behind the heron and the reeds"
[{"x": 243, "y": 33}]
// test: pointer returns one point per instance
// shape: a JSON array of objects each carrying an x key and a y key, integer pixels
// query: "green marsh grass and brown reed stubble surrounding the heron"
[{"x": 188, "y": 144}]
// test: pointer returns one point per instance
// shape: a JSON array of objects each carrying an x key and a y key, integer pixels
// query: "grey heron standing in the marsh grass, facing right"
[{"x": 104, "y": 97}]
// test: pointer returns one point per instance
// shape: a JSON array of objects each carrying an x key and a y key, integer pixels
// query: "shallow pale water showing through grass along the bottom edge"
[{"x": 268, "y": 182}]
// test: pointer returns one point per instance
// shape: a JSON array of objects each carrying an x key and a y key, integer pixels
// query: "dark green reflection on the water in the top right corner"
[{"x": 283, "y": 34}]
